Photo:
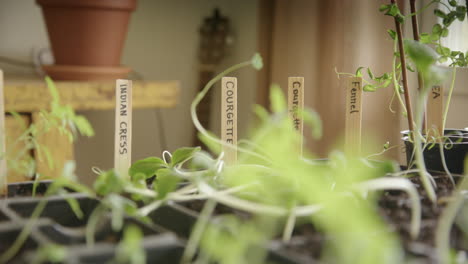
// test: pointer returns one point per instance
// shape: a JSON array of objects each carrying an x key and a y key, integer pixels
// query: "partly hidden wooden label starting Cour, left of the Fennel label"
[{"x": 296, "y": 105}]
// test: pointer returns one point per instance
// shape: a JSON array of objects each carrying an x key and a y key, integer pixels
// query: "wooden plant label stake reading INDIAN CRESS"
[{"x": 123, "y": 127}]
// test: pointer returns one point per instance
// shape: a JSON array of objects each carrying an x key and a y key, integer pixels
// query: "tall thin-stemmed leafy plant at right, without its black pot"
[{"x": 421, "y": 60}]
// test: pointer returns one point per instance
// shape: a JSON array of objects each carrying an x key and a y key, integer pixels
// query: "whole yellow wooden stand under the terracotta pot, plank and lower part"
[{"x": 29, "y": 95}]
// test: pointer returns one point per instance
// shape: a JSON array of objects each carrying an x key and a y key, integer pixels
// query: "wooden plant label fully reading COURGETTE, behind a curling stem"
[{"x": 229, "y": 118}]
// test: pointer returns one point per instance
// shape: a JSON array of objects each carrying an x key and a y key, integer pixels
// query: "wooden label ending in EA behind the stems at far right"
[{"x": 434, "y": 111}]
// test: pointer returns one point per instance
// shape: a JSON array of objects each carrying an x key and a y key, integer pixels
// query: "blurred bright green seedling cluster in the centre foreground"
[{"x": 278, "y": 190}]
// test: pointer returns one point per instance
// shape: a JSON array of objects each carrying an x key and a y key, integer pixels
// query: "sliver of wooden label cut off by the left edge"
[{"x": 3, "y": 163}]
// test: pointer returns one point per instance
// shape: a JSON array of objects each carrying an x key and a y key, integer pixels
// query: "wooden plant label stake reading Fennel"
[{"x": 353, "y": 116}]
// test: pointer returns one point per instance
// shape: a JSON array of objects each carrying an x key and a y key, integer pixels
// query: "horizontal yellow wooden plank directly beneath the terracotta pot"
[{"x": 26, "y": 94}]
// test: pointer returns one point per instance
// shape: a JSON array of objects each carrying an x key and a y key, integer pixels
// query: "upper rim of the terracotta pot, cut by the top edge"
[{"x": 127, "y": 5}]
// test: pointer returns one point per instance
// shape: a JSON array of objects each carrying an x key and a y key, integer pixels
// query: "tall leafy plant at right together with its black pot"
[{"x": 437, "y": 152}]
